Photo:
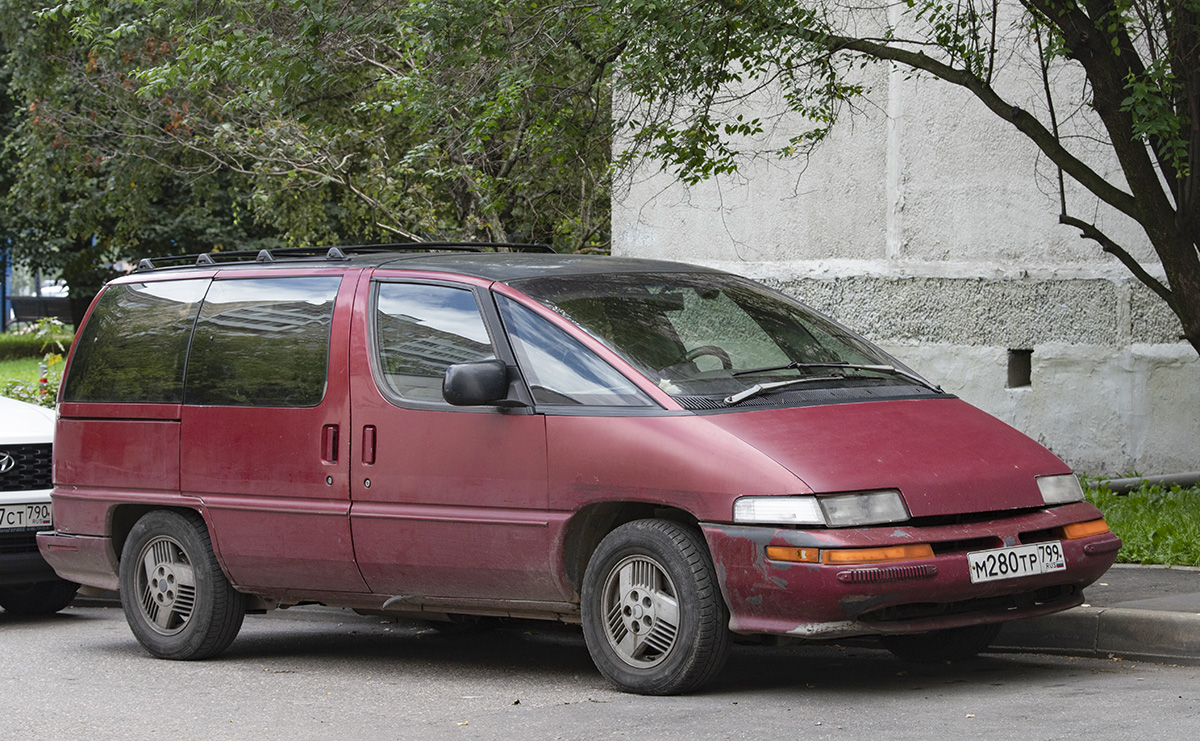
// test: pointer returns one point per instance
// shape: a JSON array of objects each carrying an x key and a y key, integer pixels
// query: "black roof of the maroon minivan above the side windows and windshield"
[{"x": 502, "y": 267}]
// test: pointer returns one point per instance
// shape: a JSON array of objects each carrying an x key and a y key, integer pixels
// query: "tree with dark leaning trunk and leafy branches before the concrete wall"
[{"x": 1113, "y": 105}]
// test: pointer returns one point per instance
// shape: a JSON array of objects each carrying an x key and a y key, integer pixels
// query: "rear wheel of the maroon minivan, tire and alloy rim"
[{"x": 177, "y": 600}]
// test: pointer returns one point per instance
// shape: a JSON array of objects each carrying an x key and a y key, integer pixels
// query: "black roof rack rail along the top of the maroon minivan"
[{"x": 340, "y": 252}]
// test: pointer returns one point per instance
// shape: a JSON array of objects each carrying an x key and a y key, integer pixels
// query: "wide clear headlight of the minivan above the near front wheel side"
[{"x": 838, "y": 511}]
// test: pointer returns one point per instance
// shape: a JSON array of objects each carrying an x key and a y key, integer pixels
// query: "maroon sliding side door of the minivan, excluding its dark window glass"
[{"x": 278, "y": 507}]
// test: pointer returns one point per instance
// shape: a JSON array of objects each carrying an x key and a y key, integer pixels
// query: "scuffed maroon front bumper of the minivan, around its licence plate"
[{"x": 830, "y": 601}]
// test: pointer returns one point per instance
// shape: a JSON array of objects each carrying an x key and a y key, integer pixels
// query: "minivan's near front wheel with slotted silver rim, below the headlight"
[{"x": 653, "y": 616}]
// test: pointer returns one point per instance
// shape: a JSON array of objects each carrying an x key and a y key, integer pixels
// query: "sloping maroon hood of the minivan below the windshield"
[{"x": 944, "y": 455}]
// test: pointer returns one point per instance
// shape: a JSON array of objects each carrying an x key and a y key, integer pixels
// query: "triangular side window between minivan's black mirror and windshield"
[{"x": 560, "y": 370}]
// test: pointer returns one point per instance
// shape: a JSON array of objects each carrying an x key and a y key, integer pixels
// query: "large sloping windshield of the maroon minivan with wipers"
[{"x": 710, "y": 334}]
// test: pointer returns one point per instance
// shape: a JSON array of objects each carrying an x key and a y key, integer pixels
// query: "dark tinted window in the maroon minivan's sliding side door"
[{"x": 262, "y": 342}]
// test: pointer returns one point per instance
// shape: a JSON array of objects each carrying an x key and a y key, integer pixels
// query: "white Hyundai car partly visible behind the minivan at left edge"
[{"x": 28, "y": 586}]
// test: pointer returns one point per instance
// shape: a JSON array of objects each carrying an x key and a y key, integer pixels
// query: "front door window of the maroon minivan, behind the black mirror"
[{"x": 421, "y": 332}]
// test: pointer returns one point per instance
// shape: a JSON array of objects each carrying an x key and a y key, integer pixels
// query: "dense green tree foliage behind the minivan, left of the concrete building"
[{"x": 415, "y": 121}]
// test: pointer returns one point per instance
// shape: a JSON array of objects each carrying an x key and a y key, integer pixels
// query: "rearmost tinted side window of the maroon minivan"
[{"x": 135, "y": 345}]
